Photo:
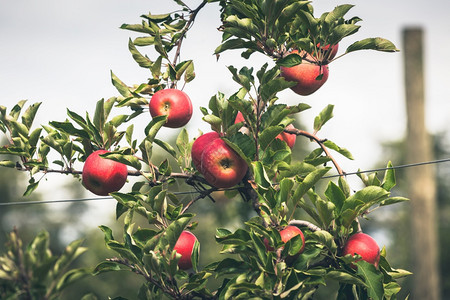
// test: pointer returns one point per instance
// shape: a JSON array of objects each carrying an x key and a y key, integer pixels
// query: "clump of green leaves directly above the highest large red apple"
[{"x": 276, "y": 27}]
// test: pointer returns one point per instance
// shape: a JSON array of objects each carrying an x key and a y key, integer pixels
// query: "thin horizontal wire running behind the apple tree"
[{"x": 438, "y": 161}]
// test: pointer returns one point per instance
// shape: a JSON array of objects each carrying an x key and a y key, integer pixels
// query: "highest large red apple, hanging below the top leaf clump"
[{"x": 305, "y": 74}]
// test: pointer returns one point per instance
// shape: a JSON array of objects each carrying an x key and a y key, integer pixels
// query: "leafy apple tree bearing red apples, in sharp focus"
[{"x": 247, "y": 154}]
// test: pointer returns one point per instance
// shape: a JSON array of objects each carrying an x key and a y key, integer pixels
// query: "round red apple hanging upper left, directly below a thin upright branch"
[{"x": 175, "y": 104}]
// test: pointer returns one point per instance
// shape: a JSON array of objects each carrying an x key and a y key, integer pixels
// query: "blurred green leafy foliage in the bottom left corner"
[{"x": 35, "y": 271}]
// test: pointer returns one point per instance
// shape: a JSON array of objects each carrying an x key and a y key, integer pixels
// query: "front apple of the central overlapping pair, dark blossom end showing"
[{"x": 221, "y": 166}]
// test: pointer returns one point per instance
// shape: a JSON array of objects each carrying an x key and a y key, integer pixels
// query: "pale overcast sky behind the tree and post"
[{"x": 62, "y": 52}]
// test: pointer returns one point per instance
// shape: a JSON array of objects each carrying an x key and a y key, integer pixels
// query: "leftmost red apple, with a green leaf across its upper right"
[{"x": 103, "y": 176}]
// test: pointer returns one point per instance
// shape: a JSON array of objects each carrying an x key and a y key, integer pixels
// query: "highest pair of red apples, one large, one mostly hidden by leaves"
[{"x": 309, "y": 74}]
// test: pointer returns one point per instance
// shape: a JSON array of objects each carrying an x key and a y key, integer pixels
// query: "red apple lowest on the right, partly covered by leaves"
[{"x": 364, "y": 245}]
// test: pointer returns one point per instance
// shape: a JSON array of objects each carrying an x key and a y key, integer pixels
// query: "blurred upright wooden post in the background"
[{"x": 421, "y": 180}]
